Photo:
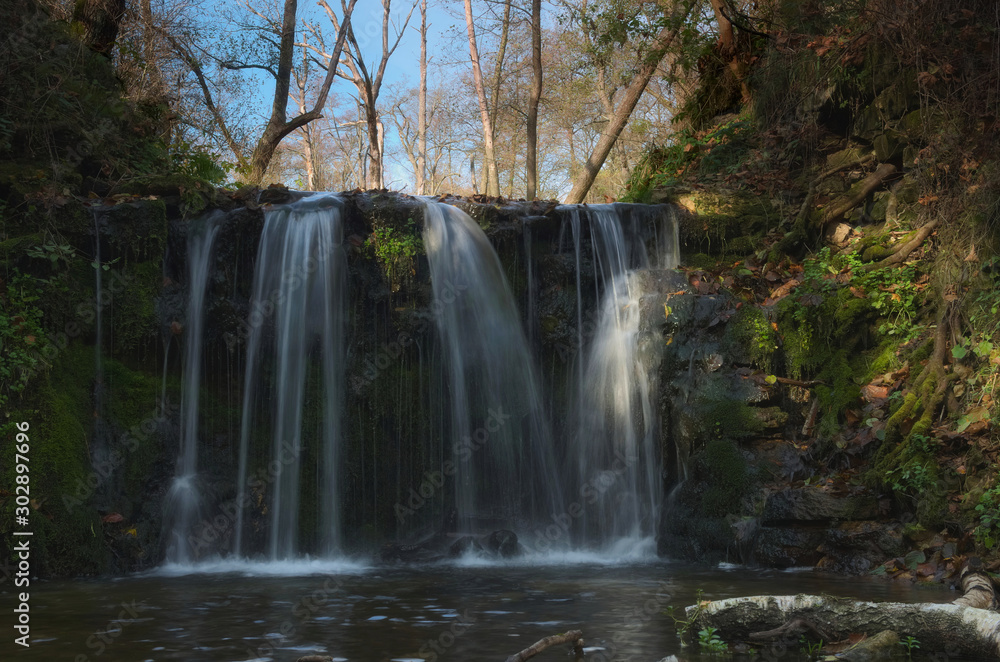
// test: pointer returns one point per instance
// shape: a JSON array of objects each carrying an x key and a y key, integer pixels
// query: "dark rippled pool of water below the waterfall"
[{"x": 447, "y": 612}]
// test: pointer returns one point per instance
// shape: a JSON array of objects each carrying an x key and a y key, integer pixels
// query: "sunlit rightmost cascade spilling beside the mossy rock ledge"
[{"x": 616, "y": 445}]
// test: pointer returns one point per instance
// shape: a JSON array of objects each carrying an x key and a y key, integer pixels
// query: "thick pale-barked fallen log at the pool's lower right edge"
[{"x": 953, "y": 629}]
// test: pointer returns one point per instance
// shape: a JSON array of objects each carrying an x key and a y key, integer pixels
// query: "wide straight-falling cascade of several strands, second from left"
[{"x": 294, "y": 386}]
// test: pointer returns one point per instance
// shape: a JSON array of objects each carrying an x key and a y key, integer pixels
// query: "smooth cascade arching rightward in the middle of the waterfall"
[{"x": 499, "y": 438}]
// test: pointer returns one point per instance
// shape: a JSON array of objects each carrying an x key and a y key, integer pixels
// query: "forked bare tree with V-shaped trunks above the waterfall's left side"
[{"x": 278, "y": 125}]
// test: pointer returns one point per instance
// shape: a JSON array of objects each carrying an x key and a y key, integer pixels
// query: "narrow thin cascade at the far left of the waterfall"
[{"x": 184, "y": 498}]
